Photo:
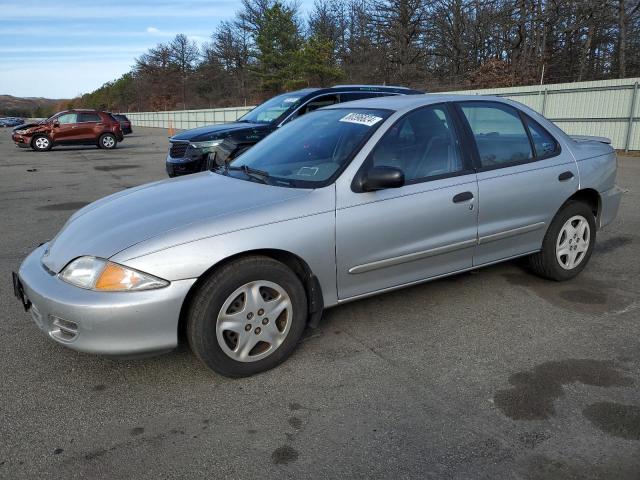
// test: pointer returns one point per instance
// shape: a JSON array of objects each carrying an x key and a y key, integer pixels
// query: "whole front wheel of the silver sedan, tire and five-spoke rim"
[{"x": 247, "y": 317}]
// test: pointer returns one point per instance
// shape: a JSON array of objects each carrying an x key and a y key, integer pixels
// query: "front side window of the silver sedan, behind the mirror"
[{"x": 422, "y": 144}]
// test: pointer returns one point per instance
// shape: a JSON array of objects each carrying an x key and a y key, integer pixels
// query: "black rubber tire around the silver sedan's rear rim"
[{"x": 545, "y": 263}]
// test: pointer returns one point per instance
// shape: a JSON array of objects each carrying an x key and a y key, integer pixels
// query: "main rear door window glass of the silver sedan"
[{"x": 499, "y": 133}]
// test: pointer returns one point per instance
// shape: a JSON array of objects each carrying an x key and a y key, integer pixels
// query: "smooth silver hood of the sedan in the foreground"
[{"x": 114, "y": 223}]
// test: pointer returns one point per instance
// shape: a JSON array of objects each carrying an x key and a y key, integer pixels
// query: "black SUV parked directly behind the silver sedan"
[{"x": 190, "y": 150}]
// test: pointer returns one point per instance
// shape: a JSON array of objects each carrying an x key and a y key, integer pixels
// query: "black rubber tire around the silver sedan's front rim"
[{"x": 216, "y": 290}]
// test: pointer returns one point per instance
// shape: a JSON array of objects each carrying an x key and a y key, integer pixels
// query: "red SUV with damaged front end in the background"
[{"x": 71, "y": 127}]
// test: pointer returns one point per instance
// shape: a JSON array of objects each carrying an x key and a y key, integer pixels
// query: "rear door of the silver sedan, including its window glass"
[{"x": 523, "y": 179}]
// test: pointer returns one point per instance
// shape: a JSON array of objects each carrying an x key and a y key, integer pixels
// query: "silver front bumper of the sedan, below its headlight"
[{"x": 107, "y": 323}]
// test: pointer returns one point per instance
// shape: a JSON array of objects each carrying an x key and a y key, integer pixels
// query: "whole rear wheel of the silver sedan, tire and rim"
[{"x": 568, "y": 244}]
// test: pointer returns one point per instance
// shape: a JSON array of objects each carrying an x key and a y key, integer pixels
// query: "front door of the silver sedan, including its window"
[{"x": 426, "y": 228}]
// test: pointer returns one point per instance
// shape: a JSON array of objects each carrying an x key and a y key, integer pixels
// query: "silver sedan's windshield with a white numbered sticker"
[{"x": 311, "y": 151}]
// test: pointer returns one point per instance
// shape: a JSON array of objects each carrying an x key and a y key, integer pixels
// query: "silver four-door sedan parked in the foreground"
[{"x": 350, "y": 201}]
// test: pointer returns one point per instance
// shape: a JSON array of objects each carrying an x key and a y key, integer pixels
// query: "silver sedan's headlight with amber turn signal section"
[{"x": 102, "y": 275}]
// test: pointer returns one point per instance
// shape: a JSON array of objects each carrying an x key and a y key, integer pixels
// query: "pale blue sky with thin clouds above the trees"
[{"x": 63, "y": 48}]
